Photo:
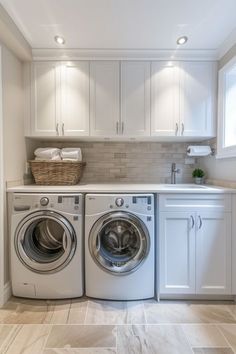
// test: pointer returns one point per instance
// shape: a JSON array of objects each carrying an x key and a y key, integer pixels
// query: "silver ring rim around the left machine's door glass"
[{"x": 58, "y": 264}]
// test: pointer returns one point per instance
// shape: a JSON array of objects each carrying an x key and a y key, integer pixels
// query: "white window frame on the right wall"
[{"x": 222, "y": 151}]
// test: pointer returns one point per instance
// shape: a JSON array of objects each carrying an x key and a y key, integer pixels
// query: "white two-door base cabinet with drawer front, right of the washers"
[{"x": 194, "y": 246}]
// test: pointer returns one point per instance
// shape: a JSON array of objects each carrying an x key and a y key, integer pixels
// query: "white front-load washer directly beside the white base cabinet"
[{"x": 119, "y": 246}]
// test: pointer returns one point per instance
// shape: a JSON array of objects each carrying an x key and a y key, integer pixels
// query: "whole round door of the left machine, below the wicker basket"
[{"x": 45, "y": 241}]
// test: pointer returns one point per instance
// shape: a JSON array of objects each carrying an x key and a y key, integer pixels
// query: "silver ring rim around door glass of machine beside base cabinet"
[{"x": 137, "y": 260}]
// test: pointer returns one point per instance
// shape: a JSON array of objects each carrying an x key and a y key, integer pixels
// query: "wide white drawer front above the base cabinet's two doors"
[{"x": 195, "y": 202}]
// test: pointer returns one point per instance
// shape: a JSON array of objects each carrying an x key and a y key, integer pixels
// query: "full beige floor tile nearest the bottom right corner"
[{"x": 204, "y": 336}]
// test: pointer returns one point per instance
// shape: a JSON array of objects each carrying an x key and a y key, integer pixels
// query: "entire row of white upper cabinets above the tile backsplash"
[{"x": 113, "y": 99}]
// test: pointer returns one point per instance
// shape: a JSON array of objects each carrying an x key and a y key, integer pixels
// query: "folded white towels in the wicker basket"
[{"x": 55, "y": 154}]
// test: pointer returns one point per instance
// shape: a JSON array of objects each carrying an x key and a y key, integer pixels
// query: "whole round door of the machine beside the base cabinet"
[{"x": 119, "y": 242}]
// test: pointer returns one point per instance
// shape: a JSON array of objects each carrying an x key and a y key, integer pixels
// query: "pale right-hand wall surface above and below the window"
[{"x": 221, "y": 169}]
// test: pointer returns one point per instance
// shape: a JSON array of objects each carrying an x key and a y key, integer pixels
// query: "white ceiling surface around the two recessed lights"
[{"x": 124, "y": 24}]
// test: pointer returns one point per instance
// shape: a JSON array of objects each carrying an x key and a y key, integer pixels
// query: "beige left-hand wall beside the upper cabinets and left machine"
[{"x": 14, "y": 150}]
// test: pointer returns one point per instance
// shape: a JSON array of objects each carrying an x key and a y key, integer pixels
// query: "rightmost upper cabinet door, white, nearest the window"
[{"x": 197, "y": 99}]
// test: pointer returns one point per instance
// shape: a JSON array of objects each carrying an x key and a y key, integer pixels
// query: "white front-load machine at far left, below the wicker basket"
[{"x": 46, "y": 245}]
